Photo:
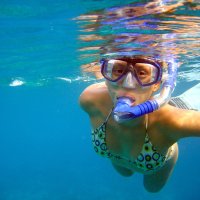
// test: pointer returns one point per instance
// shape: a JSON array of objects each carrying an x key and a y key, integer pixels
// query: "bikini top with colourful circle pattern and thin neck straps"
[{"x": 148, "y": 160}]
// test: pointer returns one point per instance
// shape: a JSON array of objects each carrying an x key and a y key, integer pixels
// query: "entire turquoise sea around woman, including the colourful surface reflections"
[{"x": 47, "y": 52}]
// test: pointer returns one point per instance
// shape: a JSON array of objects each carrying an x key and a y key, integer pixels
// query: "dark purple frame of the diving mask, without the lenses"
[{"x": 133, "y": 61}]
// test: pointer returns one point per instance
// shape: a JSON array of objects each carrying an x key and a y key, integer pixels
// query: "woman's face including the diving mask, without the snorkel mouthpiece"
[{"x": 135, "y": 78}]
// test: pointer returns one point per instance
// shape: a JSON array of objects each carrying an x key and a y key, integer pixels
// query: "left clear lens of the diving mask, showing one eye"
[{"x": 114, "y": 69}]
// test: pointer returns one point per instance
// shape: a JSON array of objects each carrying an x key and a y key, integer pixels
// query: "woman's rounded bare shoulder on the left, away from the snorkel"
[{"x": 93, "y": 97}]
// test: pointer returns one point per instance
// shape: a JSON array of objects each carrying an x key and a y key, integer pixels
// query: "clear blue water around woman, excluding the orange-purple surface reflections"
[{"x": 45, "y": 143}]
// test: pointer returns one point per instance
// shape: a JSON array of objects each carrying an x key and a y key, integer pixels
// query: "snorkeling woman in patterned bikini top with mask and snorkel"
[{"x": 136, "y": 129}]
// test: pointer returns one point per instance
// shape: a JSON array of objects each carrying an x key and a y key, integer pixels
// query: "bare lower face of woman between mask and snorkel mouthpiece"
[{"x": 139, "y": 93}]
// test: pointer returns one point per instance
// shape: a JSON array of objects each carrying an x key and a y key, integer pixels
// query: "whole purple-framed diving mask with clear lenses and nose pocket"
[{"x": 145, "y": 71}]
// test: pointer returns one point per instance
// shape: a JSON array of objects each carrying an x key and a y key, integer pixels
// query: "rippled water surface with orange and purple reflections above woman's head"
[{"x": 158, "y": 28}]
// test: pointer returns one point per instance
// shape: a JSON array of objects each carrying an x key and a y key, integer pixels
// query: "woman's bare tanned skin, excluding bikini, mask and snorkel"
[{"x": 165, "y": 127}]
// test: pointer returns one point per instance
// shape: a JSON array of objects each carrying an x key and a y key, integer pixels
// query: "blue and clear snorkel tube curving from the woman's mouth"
[{"x": 123, "y": 110}]
